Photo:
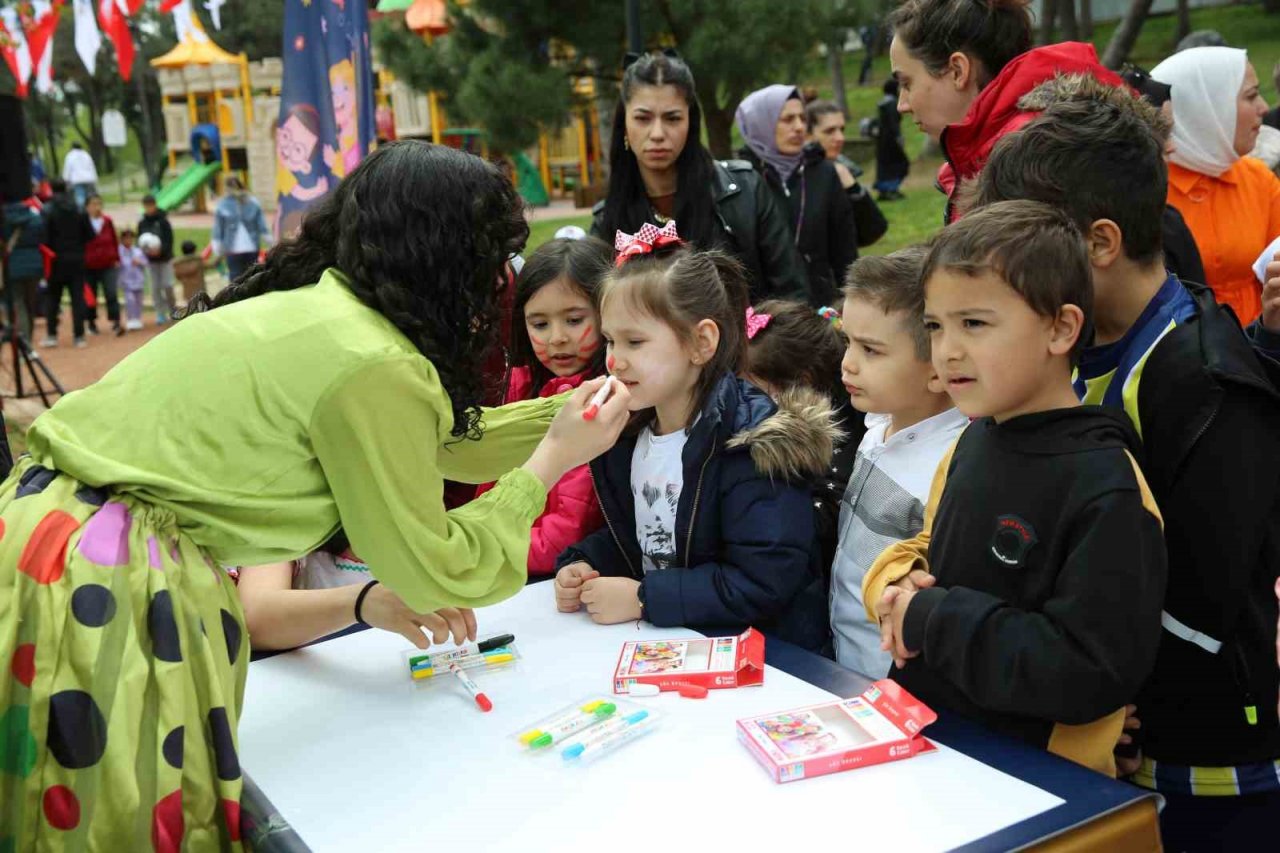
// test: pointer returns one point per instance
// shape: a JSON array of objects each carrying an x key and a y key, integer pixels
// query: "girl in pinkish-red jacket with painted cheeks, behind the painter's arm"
[{"x": 557, "y": 349}]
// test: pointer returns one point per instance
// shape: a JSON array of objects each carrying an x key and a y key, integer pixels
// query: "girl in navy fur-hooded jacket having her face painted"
[{"x": 708, "y": 514}]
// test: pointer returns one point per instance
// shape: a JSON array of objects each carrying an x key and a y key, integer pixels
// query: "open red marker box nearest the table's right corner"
[{"x": 883, "y": 724}]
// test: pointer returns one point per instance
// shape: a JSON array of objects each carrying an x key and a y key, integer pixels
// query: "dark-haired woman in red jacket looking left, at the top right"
[{"x": 962, "y": 69}]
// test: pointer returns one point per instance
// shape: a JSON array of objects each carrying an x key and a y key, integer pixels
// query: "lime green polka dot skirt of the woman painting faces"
[{"x": 81, "y": 551}]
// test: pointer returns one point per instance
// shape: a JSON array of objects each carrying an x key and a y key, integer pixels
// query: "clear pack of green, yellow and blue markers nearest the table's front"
[{"x": 591, "y": 728}]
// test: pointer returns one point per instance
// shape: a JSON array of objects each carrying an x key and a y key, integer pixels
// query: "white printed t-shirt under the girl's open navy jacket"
[{"x": 657, "y": 478}]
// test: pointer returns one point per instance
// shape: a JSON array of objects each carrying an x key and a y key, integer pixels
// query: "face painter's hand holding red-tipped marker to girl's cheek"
[{"x": 575, "y": 441}]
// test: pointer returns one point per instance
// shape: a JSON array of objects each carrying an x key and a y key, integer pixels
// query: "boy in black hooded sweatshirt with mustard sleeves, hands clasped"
[{"x": 1031, "y": 601}]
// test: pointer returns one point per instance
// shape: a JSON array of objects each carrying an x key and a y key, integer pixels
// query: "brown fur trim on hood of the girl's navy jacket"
[{"x": 797, "y": 443}]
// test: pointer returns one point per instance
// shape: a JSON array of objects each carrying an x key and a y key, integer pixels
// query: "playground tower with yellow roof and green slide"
[{"x": 223, "y": 102}]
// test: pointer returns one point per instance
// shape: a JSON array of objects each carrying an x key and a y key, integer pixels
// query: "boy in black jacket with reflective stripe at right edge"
[{"x": 1206, "y": 404}]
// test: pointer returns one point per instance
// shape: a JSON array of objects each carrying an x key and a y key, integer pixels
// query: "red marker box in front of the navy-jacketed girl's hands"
[{"x": 705, "y": 663}]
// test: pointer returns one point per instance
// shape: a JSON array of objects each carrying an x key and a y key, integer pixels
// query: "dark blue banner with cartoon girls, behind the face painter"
[{"x": 327, "y": 103}]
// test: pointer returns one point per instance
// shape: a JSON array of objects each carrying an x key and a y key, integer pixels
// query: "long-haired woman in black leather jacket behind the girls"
[{"x": 661, "y": 171}]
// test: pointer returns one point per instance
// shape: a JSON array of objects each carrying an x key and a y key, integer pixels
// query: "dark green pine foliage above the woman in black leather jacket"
[{"x": 509, "y": 65}]
